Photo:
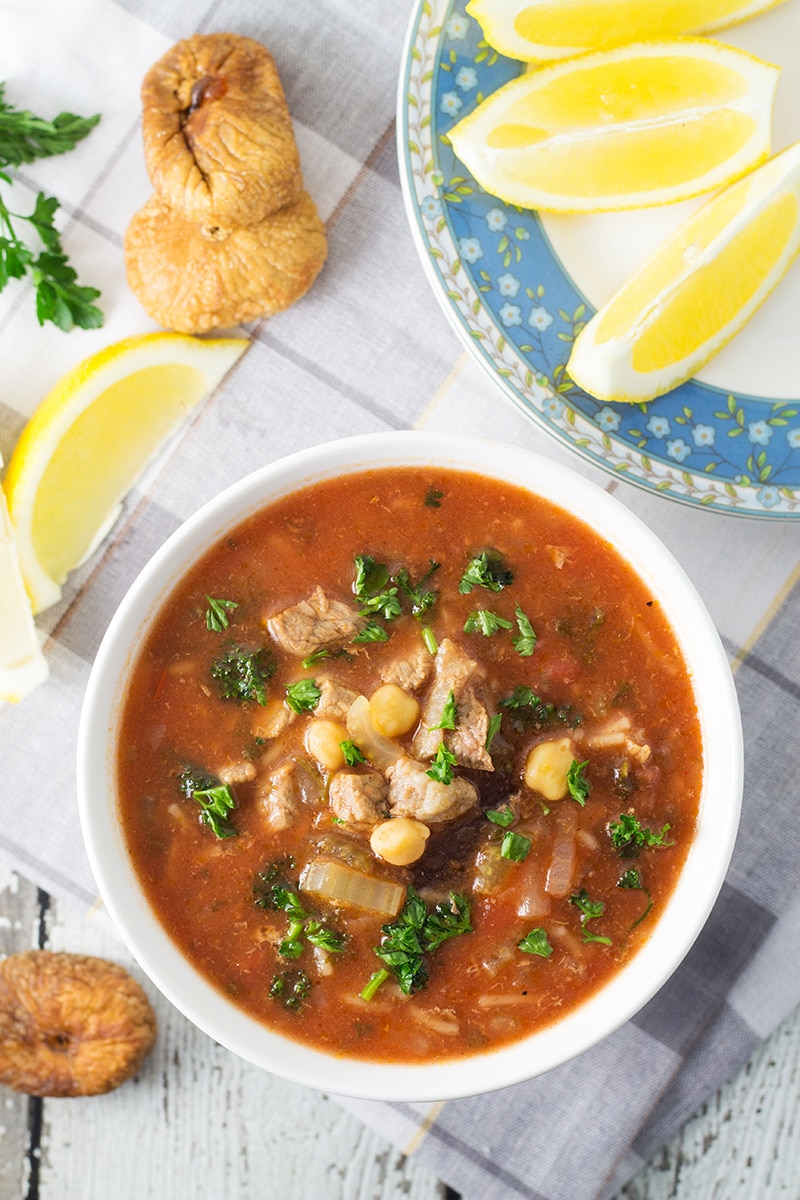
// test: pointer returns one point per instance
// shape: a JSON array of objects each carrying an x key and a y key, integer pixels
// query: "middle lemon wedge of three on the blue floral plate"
[{"x": 629, "y": 128}]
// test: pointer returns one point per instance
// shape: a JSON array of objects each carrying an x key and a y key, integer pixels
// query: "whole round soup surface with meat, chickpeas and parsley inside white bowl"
[{"x": 410, "y": 764}]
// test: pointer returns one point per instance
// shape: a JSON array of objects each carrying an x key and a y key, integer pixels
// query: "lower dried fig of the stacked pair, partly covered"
[{"x": 195, "y": 280}]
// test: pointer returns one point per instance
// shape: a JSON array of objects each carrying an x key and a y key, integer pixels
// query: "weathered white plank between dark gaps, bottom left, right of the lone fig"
[{"x": 200, "y": 1121}]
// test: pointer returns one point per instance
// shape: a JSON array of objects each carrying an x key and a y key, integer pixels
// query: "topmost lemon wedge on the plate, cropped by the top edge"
[{"x": 540, "y": 31}]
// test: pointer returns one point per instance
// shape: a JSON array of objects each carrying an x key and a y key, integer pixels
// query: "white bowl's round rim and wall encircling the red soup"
[{"x": 603, "y": 1013}]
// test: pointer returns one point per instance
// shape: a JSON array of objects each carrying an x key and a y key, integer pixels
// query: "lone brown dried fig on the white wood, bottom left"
[{"x": 70, "y": 1025}]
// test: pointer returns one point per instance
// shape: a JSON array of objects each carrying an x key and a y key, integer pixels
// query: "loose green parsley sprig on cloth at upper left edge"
[{"x": 61, "y": 299}]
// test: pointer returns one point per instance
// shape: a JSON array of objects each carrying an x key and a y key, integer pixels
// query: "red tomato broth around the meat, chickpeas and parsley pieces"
[{"x": 604, "y": 647}]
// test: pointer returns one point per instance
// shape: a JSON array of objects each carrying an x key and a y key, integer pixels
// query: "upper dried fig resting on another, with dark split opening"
[{"x": 218, "y": 134}]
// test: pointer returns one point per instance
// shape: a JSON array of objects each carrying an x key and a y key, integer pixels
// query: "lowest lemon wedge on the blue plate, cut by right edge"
[{"x": 696, "y": 291}]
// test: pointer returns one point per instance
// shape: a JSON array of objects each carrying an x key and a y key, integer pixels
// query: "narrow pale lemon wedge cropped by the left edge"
[{"x": 22, "y": 664}]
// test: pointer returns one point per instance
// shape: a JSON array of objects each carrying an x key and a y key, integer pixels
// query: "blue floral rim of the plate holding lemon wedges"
[{"x": 504, "y": 290}]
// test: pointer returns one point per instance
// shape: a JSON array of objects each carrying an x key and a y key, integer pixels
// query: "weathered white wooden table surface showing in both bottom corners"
[{"x": 200, "y": 1124}]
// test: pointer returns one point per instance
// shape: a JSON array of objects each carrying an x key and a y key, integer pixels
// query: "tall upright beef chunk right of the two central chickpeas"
[{"x": 455, "y": 671}]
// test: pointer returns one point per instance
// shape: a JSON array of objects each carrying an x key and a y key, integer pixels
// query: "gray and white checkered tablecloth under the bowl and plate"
[{"x": 369, "y": 349}]
